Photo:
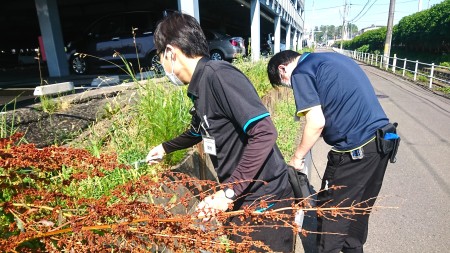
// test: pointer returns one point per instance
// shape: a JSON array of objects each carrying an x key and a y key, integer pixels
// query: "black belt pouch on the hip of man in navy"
[{"x": 388, "y": 146}]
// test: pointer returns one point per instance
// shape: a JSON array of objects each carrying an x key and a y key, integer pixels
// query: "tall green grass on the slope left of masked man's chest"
[{"x": 157, "y": 112}]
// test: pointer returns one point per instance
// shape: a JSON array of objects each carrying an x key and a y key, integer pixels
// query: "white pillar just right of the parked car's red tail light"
[{"x": 255, "y": 22}]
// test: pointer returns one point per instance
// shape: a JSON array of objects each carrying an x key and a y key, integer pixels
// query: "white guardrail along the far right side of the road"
[{"x": 431, "y": 73}]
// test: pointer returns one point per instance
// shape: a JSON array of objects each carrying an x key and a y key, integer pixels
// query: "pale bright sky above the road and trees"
[{"x": 363, "y": 13}]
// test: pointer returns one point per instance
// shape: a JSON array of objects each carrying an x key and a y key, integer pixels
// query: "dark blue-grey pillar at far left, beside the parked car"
[{"x": 49, "y": 23}]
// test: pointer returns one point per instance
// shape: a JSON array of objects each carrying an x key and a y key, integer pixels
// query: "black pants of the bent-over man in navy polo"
[{"x": 363, "y": 179}]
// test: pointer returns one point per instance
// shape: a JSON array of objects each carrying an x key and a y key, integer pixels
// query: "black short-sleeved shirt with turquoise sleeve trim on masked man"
[{"x": 227, "y": 104}]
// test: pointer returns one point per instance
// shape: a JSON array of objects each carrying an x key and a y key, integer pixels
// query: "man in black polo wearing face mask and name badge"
[{"x": 235, "y": 127}]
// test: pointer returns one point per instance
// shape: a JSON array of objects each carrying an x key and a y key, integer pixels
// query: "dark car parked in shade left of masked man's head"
[{"x": 114, "y": 38}]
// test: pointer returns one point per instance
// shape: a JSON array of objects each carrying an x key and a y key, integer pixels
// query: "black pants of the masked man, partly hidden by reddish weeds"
[{"x": 280, "y": 239}]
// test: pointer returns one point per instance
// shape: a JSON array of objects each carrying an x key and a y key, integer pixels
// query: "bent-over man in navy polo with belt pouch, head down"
[{"x": 339, "y": 104}]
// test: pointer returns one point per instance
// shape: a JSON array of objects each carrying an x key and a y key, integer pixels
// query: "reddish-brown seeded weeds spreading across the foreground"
[{"x": 45, "y": 207}]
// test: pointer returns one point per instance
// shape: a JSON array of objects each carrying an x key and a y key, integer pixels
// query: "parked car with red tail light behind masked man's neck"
[{"x": 223, "y": 46}]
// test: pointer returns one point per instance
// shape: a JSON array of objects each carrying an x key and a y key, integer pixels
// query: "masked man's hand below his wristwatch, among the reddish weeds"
[{"x": 213, "y": 204}]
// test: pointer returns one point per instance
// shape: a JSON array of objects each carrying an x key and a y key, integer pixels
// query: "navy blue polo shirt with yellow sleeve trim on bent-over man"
[{"x": 351, "y": 108}]
